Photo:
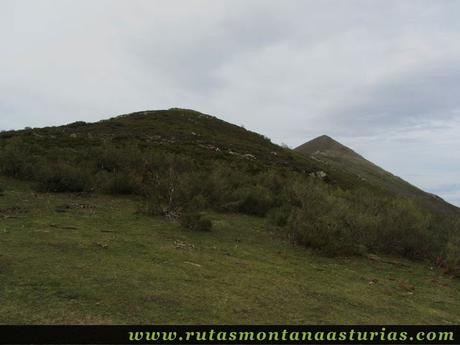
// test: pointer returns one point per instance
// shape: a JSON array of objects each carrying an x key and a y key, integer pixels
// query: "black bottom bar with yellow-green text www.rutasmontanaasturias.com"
[{"x": 221, "y": 334}]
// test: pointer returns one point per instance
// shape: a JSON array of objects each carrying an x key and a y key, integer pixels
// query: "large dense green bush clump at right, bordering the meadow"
[{"x": 338, "y": 222}]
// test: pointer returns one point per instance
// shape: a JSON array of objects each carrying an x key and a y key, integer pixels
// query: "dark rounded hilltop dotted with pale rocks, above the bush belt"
[{"x": 175, "y": 130}]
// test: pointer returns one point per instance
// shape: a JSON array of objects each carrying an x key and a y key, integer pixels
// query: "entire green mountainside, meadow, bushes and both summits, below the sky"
[{"x": 174, "y": 216}]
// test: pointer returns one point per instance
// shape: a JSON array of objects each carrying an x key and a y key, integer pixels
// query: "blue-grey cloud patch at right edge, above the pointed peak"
[{"x": 418, "y": 97}]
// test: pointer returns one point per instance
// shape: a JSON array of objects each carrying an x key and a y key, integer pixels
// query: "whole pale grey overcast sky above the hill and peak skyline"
[{"x": 382, "y": 77}]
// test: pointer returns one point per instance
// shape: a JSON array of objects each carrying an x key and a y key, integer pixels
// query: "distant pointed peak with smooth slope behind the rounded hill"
[{"x": 331, "y": 153}]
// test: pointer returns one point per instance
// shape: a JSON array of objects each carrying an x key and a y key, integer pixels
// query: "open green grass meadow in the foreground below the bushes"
[{"x": 93, "y": 259}]
